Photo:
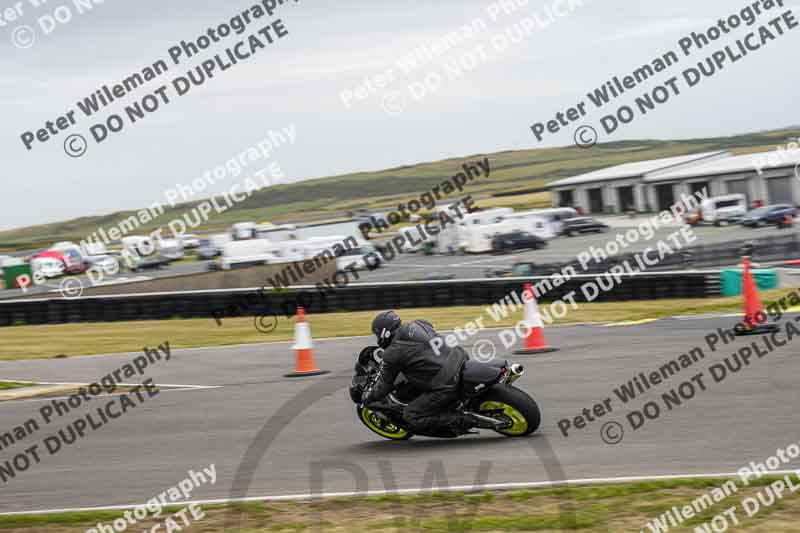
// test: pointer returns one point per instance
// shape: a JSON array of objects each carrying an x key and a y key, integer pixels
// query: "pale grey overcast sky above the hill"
[{"x": 332, "y": 47}]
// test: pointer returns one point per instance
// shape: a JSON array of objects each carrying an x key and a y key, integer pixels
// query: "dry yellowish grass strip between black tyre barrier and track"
[{"x": 30, "y": 342}]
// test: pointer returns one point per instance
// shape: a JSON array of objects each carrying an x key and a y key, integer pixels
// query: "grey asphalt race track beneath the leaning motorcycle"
[{"x": 746, "y": 417}]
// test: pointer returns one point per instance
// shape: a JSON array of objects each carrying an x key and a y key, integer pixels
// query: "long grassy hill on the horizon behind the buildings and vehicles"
[{"x": 512, "y": 171}]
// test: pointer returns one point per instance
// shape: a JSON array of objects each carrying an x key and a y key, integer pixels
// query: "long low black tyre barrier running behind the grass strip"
[{"x": 220, "y": 304}]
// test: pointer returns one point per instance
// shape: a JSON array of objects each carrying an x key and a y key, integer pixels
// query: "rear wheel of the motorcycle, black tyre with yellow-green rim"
[{"x": 516, "y": 405}]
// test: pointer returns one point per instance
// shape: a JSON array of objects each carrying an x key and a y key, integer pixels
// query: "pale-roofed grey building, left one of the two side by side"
[{"x": 621, "y": 188}]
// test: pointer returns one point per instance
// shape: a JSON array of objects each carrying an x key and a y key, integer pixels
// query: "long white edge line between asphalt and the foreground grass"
[{"x": 412, "y": 491}]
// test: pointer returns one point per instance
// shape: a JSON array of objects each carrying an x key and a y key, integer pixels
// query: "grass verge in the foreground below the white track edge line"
[{"x": 596, "y": 508}]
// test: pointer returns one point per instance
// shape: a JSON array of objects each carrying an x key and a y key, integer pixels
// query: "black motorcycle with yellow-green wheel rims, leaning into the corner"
[{"x": 486, "y": 390}]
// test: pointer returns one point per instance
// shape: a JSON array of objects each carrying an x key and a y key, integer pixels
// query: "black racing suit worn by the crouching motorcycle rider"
[{"x": 435, "y": 376}]
